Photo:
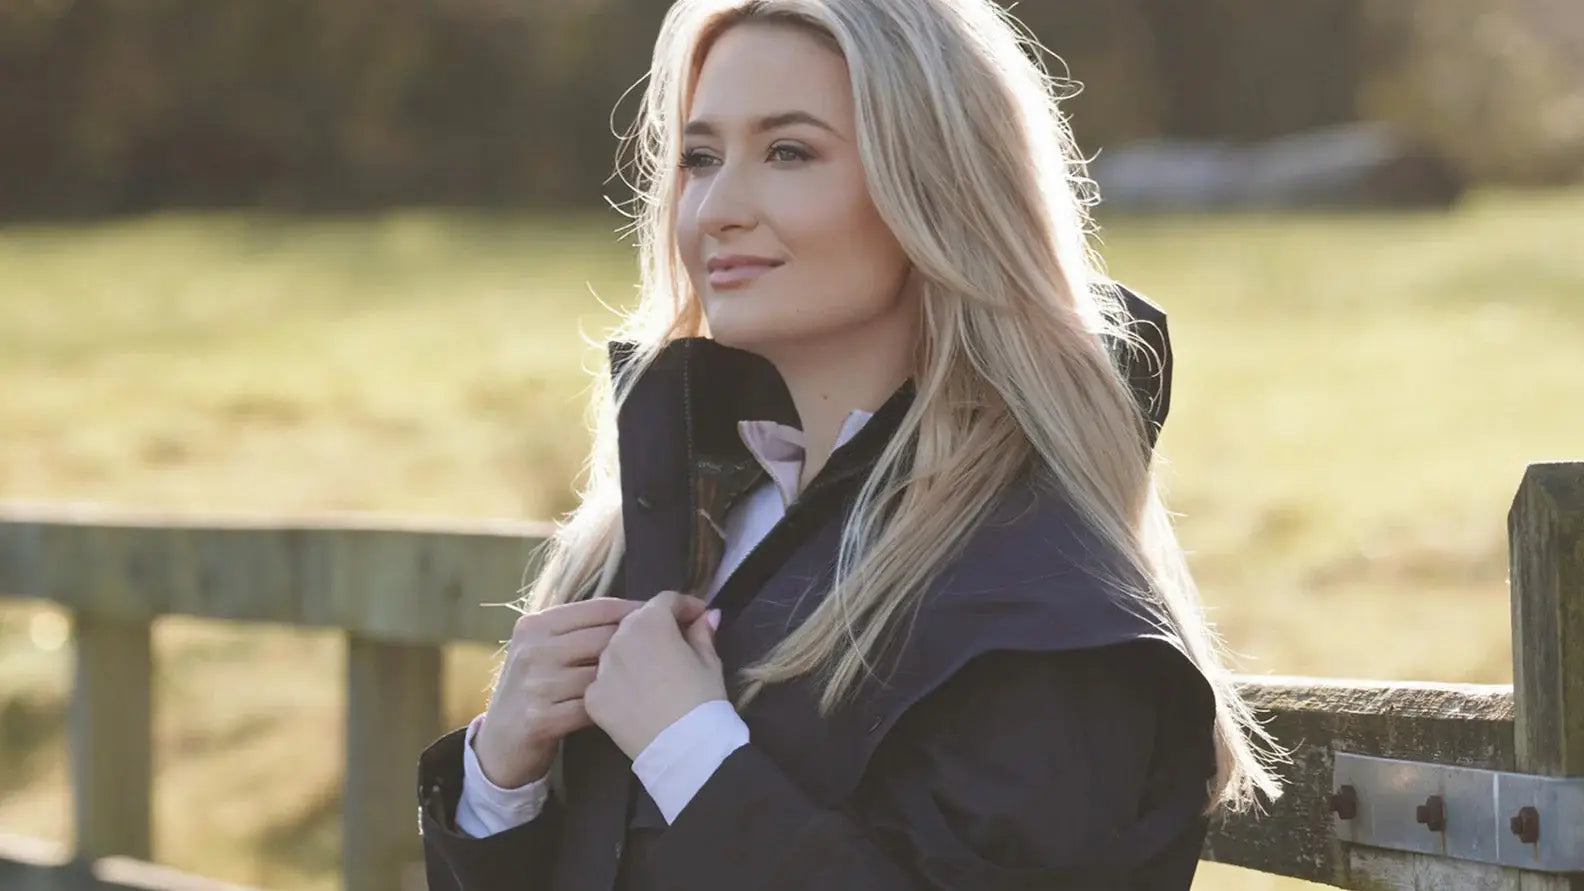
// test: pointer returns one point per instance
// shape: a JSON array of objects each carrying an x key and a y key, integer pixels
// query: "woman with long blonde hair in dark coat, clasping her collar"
[{"x": 870, "y": 587}]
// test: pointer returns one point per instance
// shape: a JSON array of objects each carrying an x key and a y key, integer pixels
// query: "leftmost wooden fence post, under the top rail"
[{"x": 110, "y": 736}]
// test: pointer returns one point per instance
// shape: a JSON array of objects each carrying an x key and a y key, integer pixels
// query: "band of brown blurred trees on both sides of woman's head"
[{"x": 123, "y": 105}]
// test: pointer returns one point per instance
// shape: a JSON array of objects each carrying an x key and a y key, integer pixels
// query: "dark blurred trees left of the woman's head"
[{"x": 115, "y": 105}]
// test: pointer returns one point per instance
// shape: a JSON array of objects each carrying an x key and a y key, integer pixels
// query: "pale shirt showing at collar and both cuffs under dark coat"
[{"x": 683, "y": 757}]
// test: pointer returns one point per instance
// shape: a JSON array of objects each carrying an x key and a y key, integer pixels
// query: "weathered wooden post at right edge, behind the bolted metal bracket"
[{"x": 1547, "y": 560}]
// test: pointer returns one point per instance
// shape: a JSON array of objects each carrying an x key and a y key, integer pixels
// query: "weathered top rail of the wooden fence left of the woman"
[{"x": 400, "y": 583}]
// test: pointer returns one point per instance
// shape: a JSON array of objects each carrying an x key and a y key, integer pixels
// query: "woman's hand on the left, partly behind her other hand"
[{"x": 538, "y": 700}]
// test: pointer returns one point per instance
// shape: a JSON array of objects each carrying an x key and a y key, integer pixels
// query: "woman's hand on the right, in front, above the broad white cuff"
[{"x": 658, "y": 667}]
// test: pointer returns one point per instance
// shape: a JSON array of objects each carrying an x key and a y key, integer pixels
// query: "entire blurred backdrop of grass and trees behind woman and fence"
[{"x": 289, "y": 258}]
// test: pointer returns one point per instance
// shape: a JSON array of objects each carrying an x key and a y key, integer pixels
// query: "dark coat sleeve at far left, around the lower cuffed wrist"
[{"x": 454, "y": 862}]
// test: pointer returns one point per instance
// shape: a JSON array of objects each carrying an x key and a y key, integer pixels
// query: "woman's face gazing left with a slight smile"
[{"x": 775, "y": 223}]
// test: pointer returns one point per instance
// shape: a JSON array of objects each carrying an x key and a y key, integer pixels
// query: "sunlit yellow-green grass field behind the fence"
[{"x": 1355, "y": 405}]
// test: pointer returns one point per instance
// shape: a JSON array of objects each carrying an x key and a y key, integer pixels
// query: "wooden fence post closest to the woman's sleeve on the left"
[{"x": 394, "y": 711}]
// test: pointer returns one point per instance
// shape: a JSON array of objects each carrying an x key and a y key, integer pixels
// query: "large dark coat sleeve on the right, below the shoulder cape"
[{"x": 1056, "y": 771}]
